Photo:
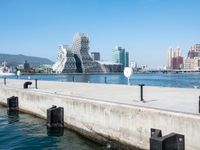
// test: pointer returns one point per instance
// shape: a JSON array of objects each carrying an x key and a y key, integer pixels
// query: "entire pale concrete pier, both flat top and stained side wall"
[{"x": 107, "y": 117}]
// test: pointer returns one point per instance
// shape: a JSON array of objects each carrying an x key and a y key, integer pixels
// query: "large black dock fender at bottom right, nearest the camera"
[{"x": 172, "y": 141}]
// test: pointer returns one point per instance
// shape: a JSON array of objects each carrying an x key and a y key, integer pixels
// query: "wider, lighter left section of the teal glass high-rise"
[{"x": 118, "y": 55}]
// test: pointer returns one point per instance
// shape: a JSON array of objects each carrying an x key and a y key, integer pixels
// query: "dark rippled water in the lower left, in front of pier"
[{"x": 23, "y": 131}]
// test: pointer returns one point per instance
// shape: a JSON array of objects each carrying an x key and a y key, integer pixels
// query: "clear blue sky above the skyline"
[{"x": 145, "y": 28}]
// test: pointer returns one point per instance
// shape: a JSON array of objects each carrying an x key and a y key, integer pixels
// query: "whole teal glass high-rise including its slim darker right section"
[{"x": 120, "y": 56}]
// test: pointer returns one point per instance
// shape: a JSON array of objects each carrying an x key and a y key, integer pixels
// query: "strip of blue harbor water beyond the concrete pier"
[{"x": 181, "y": 80}]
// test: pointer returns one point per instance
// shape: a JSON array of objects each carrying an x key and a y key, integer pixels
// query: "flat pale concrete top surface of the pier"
[{"x": 174, "y": 99}]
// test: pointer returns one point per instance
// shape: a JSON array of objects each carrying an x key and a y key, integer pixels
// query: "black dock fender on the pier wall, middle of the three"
[{"x": 55, "y": 117}]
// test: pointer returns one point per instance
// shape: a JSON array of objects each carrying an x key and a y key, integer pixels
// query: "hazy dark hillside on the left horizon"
[{"x": 13, "y": 60}]
